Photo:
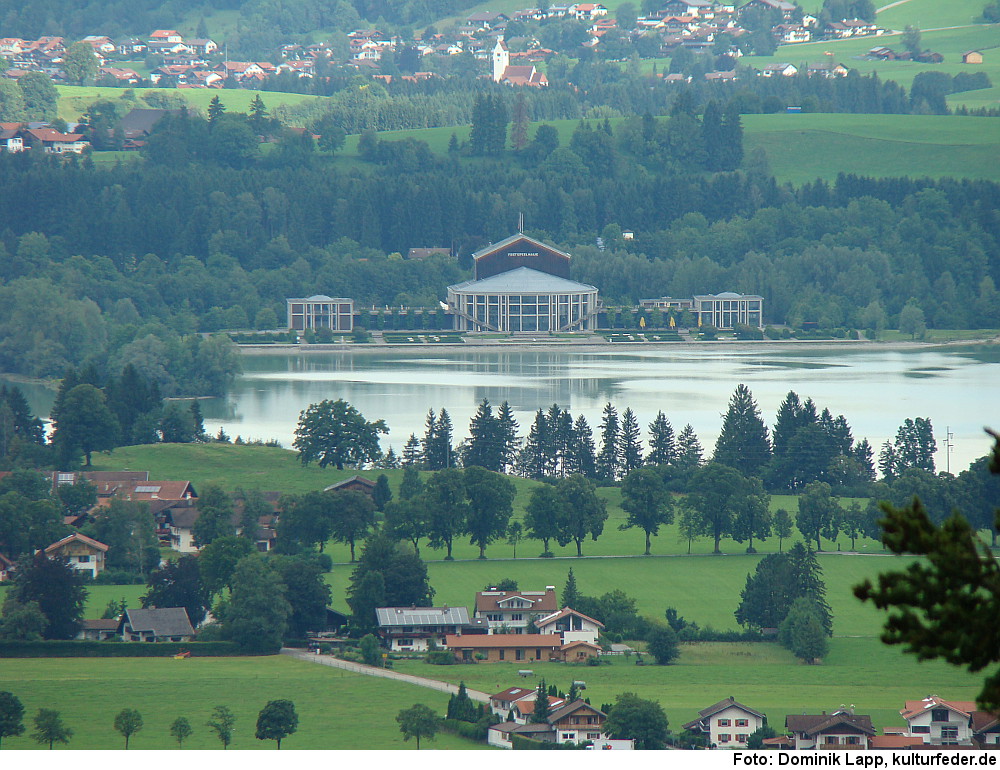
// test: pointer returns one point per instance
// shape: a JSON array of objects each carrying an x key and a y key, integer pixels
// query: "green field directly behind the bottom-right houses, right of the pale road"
[{"x": 763, "y": 676}]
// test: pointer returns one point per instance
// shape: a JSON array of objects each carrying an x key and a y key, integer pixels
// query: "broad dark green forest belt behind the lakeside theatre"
[{"x": 210, "y": 233}]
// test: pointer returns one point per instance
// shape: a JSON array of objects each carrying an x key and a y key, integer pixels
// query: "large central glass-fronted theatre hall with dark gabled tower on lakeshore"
[{"x": 522, "y": 285}]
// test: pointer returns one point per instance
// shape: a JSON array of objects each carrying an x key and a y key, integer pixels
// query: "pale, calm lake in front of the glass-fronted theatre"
[{"x": 875, "y": 387}]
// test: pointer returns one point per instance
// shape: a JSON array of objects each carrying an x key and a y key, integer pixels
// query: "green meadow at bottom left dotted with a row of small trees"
[{"x": 330, "y": 702}]
